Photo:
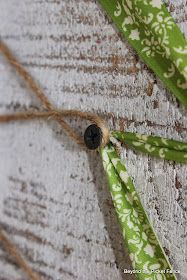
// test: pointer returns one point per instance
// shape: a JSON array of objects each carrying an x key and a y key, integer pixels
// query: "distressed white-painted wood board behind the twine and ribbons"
[{"x": 55, "y": 204}]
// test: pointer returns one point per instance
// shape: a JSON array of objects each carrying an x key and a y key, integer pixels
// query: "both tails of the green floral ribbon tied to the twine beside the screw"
[{"x": 146, "y": 253}]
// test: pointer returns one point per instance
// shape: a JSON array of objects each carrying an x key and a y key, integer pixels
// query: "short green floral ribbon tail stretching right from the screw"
[{"x": 155, "y": 146}]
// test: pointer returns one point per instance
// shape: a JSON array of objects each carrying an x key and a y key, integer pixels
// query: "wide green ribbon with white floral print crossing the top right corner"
[{"x": 151, "y": 30}]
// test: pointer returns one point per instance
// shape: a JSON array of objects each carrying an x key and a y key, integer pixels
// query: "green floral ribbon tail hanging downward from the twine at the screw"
[{"x": 144, "y": 249}]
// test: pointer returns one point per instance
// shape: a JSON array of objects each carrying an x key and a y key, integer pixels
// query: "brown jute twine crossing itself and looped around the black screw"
[{"x": 52, "y": 112}]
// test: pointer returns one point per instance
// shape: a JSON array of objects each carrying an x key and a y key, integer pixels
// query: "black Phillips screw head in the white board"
[{"x": 93, "y": 137}]
